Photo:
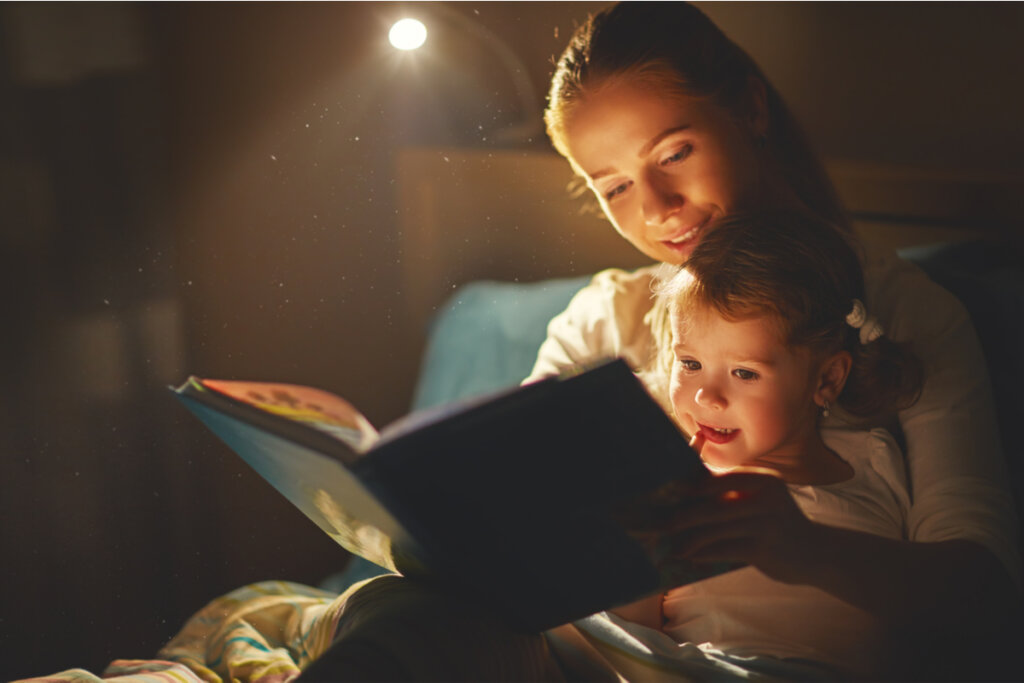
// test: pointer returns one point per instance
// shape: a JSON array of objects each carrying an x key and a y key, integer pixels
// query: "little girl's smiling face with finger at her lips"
[{"x": 746, "y": 392}]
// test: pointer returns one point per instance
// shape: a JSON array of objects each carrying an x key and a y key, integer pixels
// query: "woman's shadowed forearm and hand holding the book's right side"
[{"x": 931, "y": 591}]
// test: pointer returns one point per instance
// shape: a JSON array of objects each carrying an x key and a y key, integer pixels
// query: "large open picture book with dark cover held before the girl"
[{"x": 510, "y": 498}]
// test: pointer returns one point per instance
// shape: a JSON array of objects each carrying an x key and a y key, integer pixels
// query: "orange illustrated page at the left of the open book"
[{"x": 318, "y": 409}]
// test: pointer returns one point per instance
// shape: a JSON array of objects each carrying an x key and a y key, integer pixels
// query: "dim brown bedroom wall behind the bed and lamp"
[{"x": 209, "y": 189}]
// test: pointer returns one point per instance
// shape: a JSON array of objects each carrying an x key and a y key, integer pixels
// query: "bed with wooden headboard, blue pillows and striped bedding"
[{"x": 485, "y": 271}]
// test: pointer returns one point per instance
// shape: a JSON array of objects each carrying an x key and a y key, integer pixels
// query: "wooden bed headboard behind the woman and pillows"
[{"x": 470, "y": 215}]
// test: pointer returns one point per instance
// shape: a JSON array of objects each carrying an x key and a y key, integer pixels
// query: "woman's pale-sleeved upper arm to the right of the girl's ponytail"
[{"x": 955, "y": 458}]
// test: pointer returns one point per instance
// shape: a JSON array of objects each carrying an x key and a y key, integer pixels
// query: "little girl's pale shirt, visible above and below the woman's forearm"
[{"x": 746, "y": 614}]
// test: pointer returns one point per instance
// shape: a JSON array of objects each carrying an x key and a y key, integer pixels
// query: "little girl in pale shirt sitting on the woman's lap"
[{"x": 766, "y": 332}]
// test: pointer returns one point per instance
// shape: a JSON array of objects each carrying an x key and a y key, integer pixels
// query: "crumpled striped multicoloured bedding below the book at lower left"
[{"x": 262, "y": 633}]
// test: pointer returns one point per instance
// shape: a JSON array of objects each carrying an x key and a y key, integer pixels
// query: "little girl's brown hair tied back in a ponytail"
[{"x": 805, "y": 276}]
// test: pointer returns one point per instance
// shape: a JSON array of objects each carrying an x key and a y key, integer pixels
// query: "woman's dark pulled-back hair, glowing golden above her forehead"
[{"x": 673, "y": 46}]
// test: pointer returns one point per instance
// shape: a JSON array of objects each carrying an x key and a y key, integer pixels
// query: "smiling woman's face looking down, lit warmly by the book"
[{"x": 663, "y": 165}]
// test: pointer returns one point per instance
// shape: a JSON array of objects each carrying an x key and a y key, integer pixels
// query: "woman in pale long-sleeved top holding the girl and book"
[{"x": 672, "y": 126}]
